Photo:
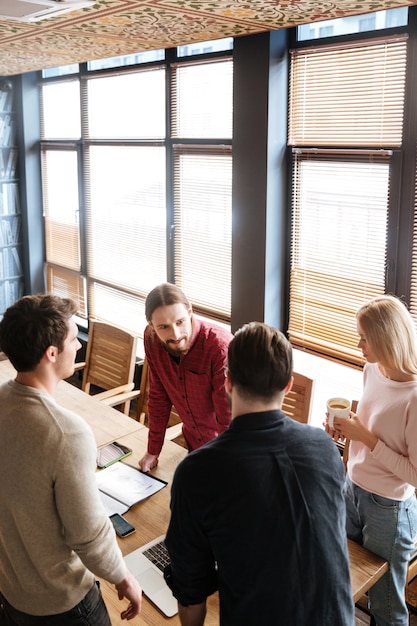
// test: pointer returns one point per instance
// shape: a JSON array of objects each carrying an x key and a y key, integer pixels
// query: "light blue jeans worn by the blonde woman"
[{"x": 387, "y": 528}]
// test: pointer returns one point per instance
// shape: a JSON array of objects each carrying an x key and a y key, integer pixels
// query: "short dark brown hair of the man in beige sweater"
[{"x": 31, "y": 325}]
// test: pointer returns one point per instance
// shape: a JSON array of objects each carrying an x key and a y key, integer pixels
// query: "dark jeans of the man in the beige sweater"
[{"x": 91, "y": 611}]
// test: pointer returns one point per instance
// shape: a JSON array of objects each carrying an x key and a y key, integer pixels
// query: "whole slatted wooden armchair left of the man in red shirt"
[{"x": 110, "y": 364}]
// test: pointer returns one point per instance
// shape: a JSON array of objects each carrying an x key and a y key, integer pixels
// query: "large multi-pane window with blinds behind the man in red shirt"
[{"x": 137, "y": 181}]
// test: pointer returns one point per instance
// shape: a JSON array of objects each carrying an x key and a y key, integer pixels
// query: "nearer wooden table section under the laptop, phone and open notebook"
[{"x": 150, "y": 518}]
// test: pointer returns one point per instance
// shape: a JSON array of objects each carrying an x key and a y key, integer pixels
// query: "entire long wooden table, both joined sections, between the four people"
[{"x": 150, "y": 517}]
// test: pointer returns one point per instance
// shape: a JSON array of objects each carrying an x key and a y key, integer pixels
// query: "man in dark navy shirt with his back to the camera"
[{"x": 258, "y": 513}]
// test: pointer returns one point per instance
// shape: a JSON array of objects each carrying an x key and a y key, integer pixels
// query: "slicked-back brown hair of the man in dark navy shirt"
[{"x": 260, "y": 360}]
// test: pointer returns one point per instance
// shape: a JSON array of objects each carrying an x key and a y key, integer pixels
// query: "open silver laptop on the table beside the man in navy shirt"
[{"x": 147, "y": 566}]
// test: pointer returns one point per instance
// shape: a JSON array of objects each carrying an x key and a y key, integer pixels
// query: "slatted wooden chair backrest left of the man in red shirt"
[{"x": 110, "y": 358}]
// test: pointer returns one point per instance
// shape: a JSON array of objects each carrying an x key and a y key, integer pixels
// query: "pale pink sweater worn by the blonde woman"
[{"x": 389, "y": 410}]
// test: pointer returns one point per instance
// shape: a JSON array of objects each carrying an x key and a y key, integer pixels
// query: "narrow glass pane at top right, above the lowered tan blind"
[{"x": 354, "y": 24}]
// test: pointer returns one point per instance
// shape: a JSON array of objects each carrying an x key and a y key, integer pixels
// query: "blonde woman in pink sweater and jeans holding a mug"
[{"x": 382, "y": 468}]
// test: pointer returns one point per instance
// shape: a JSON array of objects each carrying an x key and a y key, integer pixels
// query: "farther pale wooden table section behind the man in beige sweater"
[{"x": 107, "y": 423}]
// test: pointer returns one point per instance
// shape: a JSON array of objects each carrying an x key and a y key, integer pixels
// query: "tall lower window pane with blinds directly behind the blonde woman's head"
[{"x": 338, "y": 250}]
